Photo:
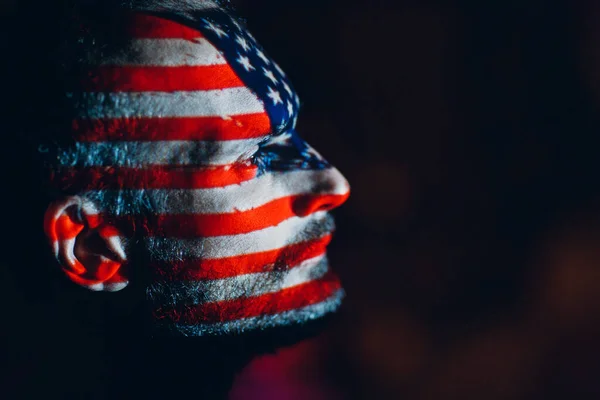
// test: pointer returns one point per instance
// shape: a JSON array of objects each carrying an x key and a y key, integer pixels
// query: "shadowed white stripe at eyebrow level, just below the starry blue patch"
[{"x": 173, "y": 152}]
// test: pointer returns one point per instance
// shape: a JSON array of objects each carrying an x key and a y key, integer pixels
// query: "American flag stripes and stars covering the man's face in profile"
[{"x": 185, "y": 141}]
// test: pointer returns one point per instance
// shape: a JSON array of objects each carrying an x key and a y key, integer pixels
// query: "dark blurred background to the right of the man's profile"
[{"x": 470, "y": 246}]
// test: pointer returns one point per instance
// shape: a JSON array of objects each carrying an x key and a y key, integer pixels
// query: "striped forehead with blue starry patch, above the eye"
[{"x": 204, "y": 67}]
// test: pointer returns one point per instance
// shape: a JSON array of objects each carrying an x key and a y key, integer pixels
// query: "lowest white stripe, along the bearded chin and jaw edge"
[{"x": 296, "y": 316}]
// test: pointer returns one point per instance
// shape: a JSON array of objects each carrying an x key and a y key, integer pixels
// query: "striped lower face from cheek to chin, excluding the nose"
[{"x": 231, "y": 258}]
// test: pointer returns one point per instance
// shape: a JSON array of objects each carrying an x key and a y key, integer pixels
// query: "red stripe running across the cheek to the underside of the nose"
[{"x": 236, "y": 223}]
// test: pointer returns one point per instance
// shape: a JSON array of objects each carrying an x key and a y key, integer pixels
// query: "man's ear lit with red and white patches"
[{"x": 90, "y": 251}]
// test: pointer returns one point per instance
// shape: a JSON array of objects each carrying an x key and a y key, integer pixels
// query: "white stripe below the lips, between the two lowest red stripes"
[{"x": 243, "y": 286}]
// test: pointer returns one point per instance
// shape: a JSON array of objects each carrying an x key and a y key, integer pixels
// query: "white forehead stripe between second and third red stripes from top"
[{"x": 207, "y": 103}]
